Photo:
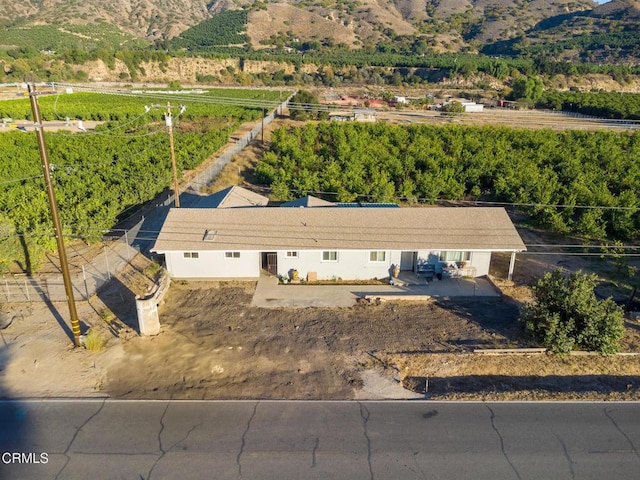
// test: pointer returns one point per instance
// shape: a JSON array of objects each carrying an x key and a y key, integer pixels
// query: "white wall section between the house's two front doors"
[{"x": 351, "y": 265}]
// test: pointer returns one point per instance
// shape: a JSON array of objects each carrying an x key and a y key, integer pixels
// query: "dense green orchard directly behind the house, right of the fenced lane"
[{"x": 537, "y": 169}]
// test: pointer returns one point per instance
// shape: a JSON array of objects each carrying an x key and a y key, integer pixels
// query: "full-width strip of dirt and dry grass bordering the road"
[{"x": 214, "y": 345}]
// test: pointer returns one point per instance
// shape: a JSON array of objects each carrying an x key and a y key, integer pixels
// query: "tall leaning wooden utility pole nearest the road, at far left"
[{"x": 64, "y": 264}]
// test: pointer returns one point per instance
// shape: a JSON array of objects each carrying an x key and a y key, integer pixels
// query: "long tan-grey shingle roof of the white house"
[{"x": 274, "y": 228}]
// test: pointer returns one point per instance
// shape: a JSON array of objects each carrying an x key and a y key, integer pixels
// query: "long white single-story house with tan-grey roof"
[{"x": 328, "y": 243}]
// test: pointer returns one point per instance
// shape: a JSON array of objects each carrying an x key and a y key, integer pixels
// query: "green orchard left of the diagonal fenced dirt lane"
[{"x": 101, "y": 176}]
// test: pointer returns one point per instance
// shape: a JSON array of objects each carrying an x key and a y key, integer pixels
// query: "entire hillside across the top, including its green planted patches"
[{"x": 572, "y": 30}]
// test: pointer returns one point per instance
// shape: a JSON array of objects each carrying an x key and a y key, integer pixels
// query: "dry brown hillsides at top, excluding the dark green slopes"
[{"x": 451, "y": 25}]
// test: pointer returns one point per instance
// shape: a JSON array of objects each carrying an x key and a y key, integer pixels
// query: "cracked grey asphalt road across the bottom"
[{"x": 318, "y": 440}]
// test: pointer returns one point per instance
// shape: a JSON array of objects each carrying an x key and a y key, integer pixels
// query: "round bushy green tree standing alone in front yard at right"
[{"x": 567, "y": 315}]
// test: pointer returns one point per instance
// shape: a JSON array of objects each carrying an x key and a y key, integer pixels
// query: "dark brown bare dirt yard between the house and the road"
[{"x": 215, "y": 345}]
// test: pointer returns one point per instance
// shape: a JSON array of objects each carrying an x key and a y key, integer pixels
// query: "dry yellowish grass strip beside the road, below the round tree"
[{"x": 522, "y": 377}]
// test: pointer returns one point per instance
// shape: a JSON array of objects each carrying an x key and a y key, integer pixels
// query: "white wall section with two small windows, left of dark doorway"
[{"x": 213, "y": 264}]
